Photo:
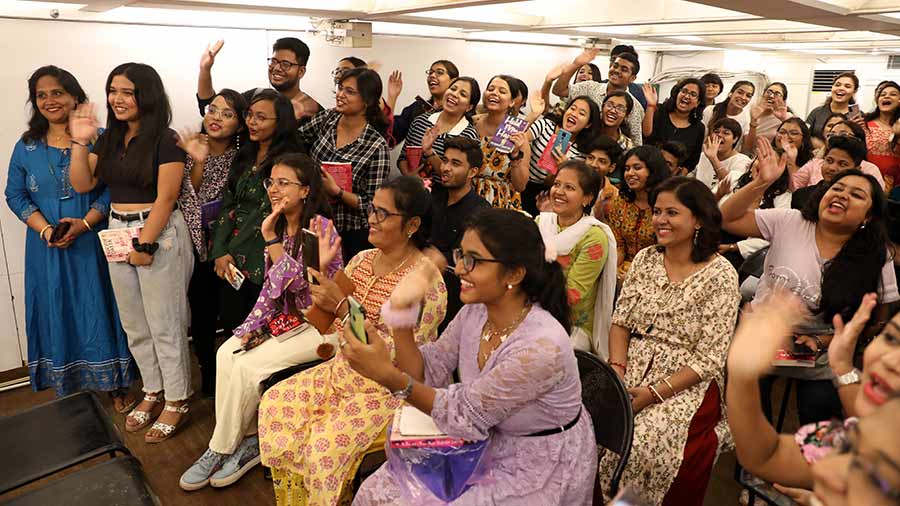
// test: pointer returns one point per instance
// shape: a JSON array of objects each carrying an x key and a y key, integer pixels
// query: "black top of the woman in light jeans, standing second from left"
[{"x": 124, "y": 172}]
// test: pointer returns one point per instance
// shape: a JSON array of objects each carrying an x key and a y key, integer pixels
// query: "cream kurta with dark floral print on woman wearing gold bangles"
[{"x": 673, "y": 325}]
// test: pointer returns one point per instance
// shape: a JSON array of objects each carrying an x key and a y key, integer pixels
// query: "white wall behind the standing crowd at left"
[{"x": 91, "y": 50}]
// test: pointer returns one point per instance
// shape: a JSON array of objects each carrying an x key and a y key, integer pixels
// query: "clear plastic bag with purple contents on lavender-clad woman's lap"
[{"x": 438, "y": 475}]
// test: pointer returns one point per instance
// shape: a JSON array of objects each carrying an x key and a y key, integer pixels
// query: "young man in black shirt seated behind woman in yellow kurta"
[{"x": 453, "y": 204}]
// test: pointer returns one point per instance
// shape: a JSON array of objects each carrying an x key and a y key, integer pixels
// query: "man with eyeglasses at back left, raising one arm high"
[{"x": 286, "y": 67}]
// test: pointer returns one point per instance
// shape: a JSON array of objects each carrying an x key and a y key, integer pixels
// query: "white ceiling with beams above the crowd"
[{"x": 806, "y": 26}]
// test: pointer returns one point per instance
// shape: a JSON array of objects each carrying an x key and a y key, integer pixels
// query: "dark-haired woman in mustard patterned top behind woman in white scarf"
[{"x": 630, "y": 214}]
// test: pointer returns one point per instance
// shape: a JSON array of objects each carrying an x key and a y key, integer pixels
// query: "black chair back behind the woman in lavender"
[{"x": 605, "y": 397}]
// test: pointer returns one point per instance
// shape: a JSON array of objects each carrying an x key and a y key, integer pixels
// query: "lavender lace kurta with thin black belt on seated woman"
[{"x": 529, "y": 384}]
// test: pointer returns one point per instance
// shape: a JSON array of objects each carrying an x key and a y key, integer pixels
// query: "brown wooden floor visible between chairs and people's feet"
[{"x": 165, "y": 462}]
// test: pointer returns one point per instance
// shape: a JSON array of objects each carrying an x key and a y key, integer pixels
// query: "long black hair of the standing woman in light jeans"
[{"x": 154, "y": 114}]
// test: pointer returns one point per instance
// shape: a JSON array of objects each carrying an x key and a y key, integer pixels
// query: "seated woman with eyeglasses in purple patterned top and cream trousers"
[{"x": 251, "y": 355}]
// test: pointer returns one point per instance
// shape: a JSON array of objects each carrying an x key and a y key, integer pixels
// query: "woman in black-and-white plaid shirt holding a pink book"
[{"x": 351, "y": 134}]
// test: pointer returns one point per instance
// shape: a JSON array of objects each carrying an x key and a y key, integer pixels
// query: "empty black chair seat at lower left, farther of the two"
[{"x": 54, "y": 436}]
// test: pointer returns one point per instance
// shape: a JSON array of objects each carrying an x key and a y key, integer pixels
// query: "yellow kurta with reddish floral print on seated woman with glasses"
[{"x": 315, "y": 427}]
